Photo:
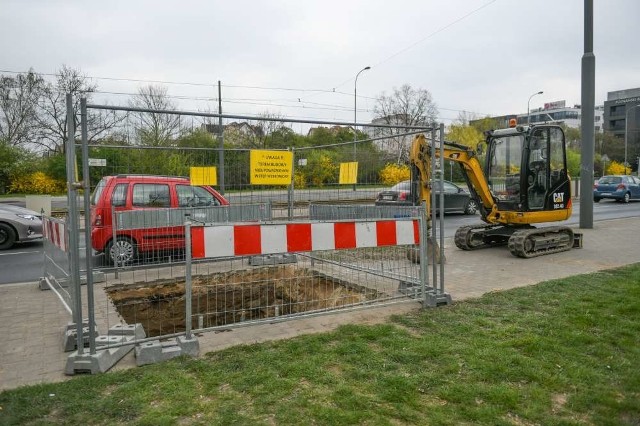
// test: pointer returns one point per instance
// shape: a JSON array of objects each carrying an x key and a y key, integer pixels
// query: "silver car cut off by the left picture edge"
[{"x": 18, "y": 224}]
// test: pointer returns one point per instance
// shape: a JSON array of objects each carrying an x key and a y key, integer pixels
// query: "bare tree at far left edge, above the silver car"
[{"x": 19, "y": 97}]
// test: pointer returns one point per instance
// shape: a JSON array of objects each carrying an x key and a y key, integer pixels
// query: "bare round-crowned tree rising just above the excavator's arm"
[{"x": 406, "y": 106}]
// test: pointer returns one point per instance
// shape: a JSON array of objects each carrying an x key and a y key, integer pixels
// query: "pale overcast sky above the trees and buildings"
[{"x": 299, "y": 58}]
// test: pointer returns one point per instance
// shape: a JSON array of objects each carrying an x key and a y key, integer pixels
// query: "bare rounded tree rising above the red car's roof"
[{"x": 155, "y": 128}]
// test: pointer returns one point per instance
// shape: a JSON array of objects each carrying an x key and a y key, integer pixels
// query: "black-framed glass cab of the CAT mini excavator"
[{"x": 526, "y": 169}]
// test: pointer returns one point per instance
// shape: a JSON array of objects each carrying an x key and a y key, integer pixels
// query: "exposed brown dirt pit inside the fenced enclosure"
[{"x": 231, "y": 297}]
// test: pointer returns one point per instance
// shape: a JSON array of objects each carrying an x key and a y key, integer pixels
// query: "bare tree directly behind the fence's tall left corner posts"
[{"x": 52, "y": 111}]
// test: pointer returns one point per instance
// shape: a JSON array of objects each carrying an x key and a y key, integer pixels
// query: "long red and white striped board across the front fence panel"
[{"x": 258, "y": 239}]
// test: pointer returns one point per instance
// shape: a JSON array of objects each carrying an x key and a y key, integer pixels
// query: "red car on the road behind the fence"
[{"x": 144, "y": 193}]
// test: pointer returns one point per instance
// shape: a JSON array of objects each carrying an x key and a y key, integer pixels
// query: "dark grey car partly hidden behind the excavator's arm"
[{"x": 456, "y": 199}]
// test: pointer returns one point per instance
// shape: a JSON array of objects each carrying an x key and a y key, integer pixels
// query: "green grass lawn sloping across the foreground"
[{"x": 563, "y": 352}]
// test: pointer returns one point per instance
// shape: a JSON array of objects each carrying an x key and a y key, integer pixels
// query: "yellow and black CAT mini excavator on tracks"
[{"x": 524, "y": 182}]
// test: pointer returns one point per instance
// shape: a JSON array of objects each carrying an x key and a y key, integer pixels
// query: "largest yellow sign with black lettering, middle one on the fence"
[{"x": 271, "y": 167}]
